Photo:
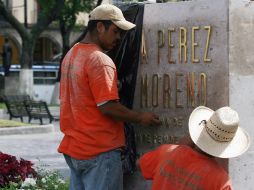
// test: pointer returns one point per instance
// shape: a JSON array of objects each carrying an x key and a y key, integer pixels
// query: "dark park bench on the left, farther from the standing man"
[{"x": 15, "y": 106}]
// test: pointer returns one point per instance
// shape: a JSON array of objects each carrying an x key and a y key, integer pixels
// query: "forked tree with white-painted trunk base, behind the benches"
[{"x": 49, "y": 11}]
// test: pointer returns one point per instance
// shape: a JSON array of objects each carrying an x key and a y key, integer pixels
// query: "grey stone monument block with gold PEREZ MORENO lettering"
[{"x": 195, "y": 53}]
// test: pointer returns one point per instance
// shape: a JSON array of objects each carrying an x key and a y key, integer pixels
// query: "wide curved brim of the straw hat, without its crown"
[{"x": 237, "y": 146}]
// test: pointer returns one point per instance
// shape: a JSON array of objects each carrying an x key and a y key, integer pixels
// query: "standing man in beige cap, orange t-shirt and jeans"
[{"x": 91, "y": 116}]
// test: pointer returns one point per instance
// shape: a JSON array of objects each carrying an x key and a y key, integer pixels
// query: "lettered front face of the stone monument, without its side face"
[{"x": 180, "y": 15}]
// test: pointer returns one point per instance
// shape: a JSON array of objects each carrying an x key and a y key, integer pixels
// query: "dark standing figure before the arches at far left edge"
[{"x": 7, "y": 56}]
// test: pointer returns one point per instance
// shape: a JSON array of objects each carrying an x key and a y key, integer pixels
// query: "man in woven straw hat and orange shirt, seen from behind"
[{"x": 214, "y": 134}]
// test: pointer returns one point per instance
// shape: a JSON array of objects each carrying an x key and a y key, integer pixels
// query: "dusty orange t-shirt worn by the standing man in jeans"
[{"x": 88, "y": 77}]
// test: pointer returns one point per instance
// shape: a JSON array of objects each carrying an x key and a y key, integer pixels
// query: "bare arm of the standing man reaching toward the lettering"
[{"x": 119, "y": 112}]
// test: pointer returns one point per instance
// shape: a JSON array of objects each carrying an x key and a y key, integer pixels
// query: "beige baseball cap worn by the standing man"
[{"x": 113, "y": 13}]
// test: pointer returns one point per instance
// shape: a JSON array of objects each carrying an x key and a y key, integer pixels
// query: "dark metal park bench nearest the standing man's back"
[{"x": 39, "y": 110}]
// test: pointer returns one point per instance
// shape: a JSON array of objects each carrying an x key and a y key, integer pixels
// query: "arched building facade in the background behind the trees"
[{"x": 50, "y": 41}]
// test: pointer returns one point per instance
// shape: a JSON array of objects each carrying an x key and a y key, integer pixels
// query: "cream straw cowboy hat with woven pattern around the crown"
[{"x": 217, "y": 132}]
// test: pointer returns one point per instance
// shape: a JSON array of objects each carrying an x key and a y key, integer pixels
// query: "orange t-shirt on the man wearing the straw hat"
[{"x": 178, "y": 167}]
